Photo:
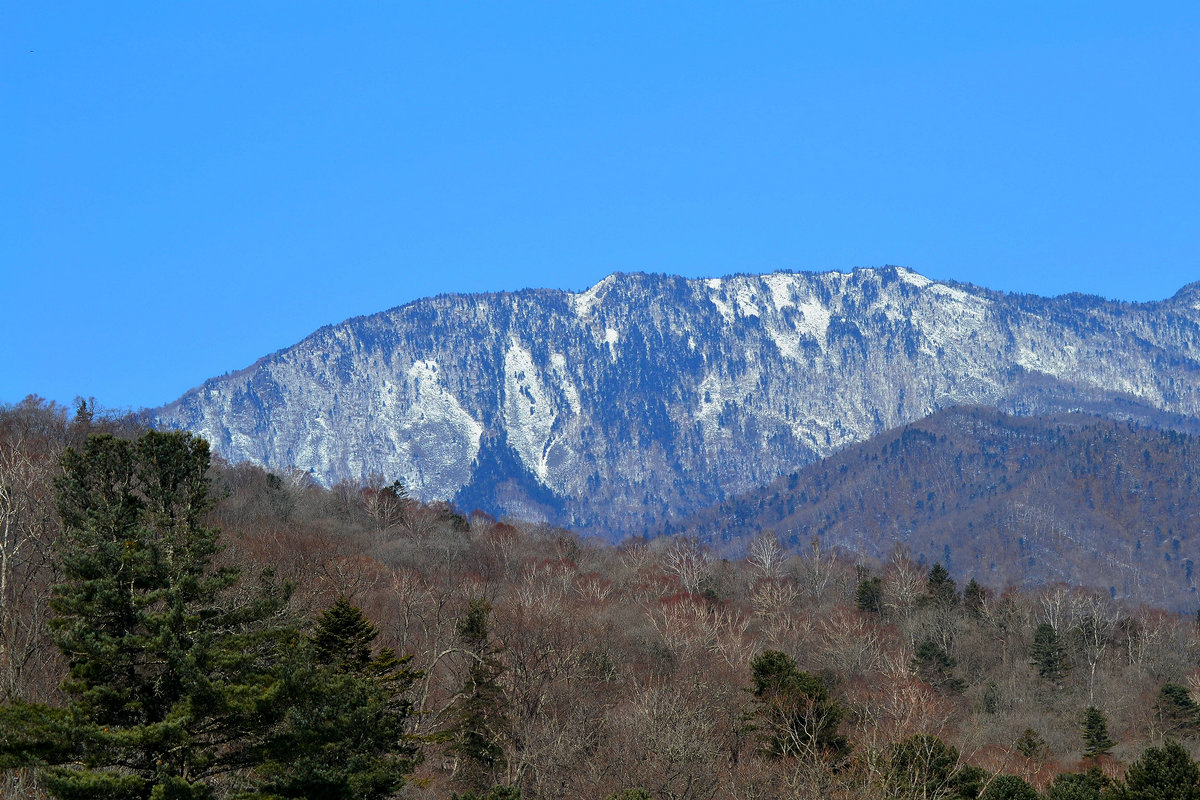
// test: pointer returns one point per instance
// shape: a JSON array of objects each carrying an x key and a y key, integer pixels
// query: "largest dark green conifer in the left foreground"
[{"x": 179, "y": 683}]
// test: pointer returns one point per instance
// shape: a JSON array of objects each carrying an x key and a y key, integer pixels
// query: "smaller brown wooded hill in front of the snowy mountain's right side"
[{"x": 1000, "y": 498}]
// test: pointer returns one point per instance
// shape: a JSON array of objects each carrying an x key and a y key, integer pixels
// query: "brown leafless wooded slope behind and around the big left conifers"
[{"x": 551, "y": 666}]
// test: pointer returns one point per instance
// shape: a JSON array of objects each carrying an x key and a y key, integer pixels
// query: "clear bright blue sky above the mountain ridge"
[{"x": 188, "y": 187}]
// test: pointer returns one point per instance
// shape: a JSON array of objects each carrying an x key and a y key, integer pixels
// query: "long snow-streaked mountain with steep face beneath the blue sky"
[{"x": 649, "y": 396}]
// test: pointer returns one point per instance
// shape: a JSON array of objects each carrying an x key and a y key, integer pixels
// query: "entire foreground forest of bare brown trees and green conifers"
[{"x": 350, "y": 642}]
